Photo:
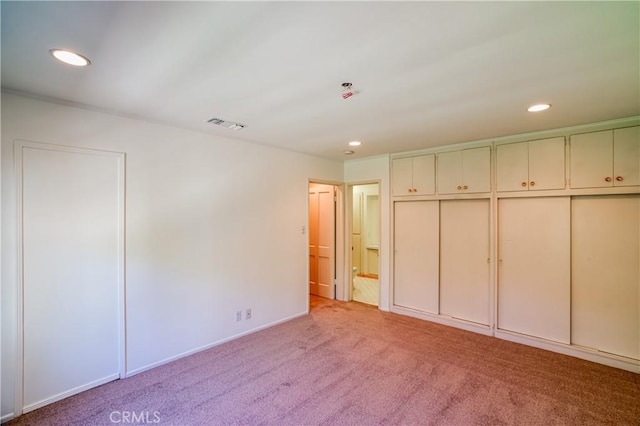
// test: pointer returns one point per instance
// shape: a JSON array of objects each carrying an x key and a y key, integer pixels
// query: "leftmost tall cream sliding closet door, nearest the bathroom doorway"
[{"x": 416, "y": 266}]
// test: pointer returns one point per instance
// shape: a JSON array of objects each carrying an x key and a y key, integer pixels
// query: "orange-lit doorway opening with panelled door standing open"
[{"x": 322, "y": 236}]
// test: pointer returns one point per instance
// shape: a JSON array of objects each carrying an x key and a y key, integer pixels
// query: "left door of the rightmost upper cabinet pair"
[{"x": 592, "y": 160}]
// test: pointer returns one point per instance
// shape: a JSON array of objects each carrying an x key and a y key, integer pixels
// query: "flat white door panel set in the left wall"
[{"x": 72, "y": 261}]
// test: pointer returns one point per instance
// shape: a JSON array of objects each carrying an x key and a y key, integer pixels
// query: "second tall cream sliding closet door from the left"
[{"x": 464, "y": 255}]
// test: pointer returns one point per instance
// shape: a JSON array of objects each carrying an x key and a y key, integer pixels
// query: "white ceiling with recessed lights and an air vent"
[{"x": 427, "y": 73}]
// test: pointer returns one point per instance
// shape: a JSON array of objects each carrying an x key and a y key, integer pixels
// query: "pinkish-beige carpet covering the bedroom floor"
[{"x": 351, "y": 364}]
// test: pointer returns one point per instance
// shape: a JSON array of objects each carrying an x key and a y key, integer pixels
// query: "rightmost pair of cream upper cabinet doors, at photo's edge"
[{"x": 607, "y": 158}]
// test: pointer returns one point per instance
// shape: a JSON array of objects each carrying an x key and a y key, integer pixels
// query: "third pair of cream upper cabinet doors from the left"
[{"x": 533, "y": 165}]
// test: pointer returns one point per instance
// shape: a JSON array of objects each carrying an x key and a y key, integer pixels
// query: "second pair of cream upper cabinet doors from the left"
[{"x": 464, "y": 171}]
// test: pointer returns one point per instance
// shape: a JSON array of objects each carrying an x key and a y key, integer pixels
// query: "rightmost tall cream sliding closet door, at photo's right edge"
[{"x": 606, "y": 274}]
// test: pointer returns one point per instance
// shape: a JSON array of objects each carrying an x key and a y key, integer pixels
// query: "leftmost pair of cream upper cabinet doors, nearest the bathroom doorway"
[{"x": 414, "y": 175}]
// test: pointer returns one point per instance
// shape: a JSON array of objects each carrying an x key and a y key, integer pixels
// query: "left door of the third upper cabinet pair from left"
[{"x": 512, "y": 168}]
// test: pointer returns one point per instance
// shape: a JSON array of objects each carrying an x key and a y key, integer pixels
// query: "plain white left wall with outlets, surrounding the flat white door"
[{"x": 212, "y": 226}]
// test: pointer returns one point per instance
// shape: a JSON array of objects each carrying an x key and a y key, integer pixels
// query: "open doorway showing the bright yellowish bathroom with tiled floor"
[{"x": 365, "y": 243}]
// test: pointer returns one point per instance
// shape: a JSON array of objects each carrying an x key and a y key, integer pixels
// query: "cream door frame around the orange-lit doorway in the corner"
[{"x": 339, "y": 242}]
